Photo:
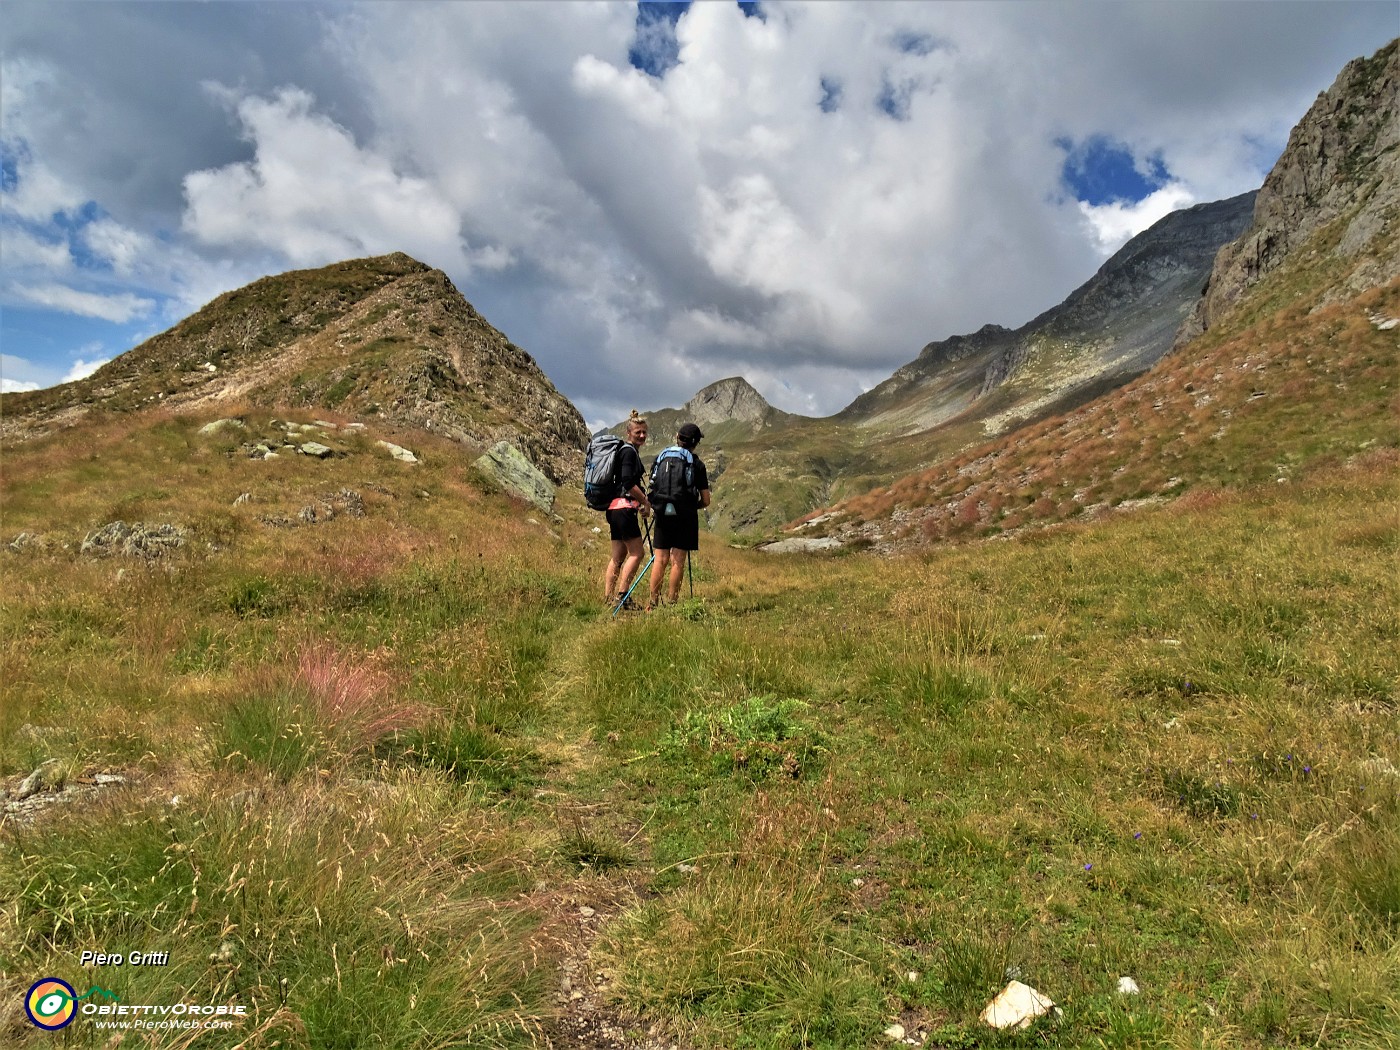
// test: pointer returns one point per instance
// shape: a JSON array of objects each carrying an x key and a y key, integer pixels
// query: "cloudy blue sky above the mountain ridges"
[{"x": 647, "y": 198}]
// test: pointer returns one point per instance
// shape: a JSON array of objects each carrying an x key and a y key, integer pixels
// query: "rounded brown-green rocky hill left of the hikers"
[{"x": 384, "y": 338}]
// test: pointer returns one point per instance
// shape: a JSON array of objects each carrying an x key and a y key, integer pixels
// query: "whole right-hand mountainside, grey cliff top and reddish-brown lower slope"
[{"x": 1297, "y": 369}]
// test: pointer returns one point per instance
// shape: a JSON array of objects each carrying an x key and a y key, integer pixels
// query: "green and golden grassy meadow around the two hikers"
[{"x": 390, "y": 779}]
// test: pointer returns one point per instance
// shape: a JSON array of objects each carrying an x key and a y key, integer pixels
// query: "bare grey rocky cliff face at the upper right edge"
[{"x": 1342, "y": 167}]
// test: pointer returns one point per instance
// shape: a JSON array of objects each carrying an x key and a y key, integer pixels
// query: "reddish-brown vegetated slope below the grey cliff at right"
[{"x": 1301, "y": 390}]
